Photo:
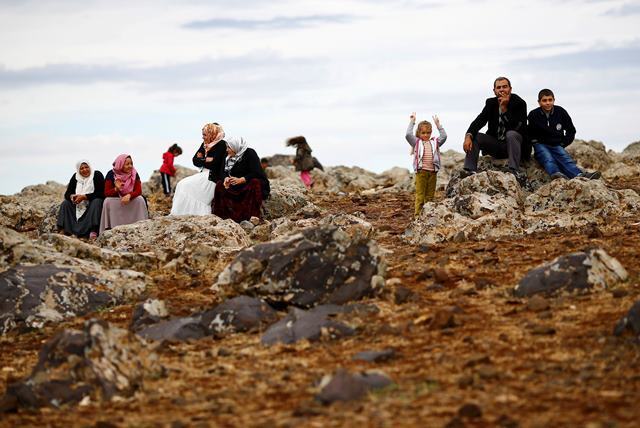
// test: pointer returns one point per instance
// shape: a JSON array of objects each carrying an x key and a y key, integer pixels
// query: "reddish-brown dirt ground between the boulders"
[{"x": 552, "y": 363}]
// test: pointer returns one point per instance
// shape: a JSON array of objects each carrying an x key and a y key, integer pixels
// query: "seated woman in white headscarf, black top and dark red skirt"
[{"x": 243, "y": 184}]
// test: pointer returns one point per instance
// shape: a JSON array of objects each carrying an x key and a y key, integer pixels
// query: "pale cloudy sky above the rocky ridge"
[{"x": 90, "y": 79}]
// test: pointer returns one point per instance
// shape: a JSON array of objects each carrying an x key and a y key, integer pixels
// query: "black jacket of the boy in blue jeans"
[{"x": 555, "y": 130}]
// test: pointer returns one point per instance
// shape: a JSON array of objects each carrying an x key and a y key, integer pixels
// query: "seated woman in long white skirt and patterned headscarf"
[{"x": 193, "y": 195}]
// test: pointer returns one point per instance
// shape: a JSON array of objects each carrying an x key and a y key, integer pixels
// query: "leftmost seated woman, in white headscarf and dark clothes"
[{"x": 80, "y": 211}]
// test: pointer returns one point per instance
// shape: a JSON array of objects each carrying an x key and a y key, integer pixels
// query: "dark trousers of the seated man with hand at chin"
[{"x": 496, "y": 149}]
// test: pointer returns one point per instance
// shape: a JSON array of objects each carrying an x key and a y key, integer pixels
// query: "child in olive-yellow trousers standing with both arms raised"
[{"x": 426, "y": 158}]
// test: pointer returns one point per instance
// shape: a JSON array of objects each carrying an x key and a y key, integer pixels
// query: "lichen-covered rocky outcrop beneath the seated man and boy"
[{"x": 491, "y": 205}]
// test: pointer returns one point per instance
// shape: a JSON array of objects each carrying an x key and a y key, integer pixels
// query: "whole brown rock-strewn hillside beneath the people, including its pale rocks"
[{"x": 456, "y": 346}]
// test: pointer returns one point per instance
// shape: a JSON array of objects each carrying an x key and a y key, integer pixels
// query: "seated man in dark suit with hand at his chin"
[{"x": 506, "y": 115}]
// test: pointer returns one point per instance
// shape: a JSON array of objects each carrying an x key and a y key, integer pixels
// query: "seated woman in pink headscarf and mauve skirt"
[{"x": 124, "y": 203}]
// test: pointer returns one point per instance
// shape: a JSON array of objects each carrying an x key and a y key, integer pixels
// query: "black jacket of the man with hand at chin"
[{"x": 514, "y": 119}]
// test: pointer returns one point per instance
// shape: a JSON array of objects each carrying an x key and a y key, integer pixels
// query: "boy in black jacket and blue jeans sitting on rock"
[{"x": 551, "y": 130}]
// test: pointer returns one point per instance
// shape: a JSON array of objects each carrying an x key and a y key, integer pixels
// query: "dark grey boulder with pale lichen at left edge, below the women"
[{"x": 31, "y": 296}]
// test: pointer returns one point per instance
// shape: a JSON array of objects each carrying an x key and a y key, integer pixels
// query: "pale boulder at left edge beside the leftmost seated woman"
[{"x": 34, "y": 208}]
